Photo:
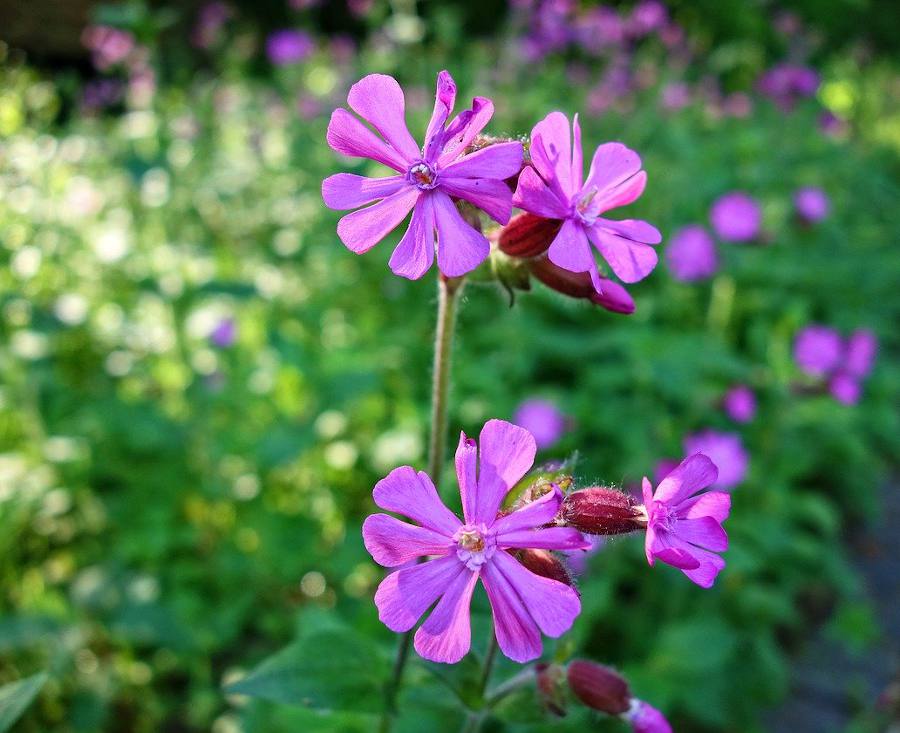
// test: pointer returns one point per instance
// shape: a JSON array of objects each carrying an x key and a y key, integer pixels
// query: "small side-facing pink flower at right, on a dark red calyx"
[{"x": 684, "y": 523}]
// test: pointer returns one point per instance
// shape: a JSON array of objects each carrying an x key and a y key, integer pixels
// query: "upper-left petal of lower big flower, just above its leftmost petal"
[{"x": 413, "y": 495}]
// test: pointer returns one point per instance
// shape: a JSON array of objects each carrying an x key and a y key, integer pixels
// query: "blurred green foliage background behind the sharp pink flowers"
[{"x": 199, "y": 384}]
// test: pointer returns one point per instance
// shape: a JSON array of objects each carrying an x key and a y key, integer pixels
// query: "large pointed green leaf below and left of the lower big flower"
[{"x": 327, "y": 670}]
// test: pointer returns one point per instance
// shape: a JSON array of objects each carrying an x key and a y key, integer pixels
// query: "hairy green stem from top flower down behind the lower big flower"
[{"x": 448, "y": 297}]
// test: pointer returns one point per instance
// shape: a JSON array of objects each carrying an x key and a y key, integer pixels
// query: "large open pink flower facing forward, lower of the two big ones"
[{"x": 524, "y": 604}]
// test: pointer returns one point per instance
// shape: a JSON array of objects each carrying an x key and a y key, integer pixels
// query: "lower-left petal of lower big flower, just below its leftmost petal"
[{"x": 404, "y": 595}]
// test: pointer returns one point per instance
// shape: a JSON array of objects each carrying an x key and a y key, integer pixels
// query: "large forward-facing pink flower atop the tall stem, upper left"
[{"x": 428, "y": 178}]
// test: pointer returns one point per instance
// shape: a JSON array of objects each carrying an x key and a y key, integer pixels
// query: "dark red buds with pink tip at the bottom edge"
[{"x": 600, "y": 688}]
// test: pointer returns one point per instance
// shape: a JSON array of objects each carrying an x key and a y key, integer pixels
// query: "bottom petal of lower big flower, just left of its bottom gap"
[{"x": 446, "y": 634}]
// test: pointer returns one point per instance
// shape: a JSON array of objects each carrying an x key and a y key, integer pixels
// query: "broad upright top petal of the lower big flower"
[{"x": 506, "y": 452}]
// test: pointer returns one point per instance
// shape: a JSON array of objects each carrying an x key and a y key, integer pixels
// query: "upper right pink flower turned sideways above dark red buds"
[{"x": 552, "y": 187}]
